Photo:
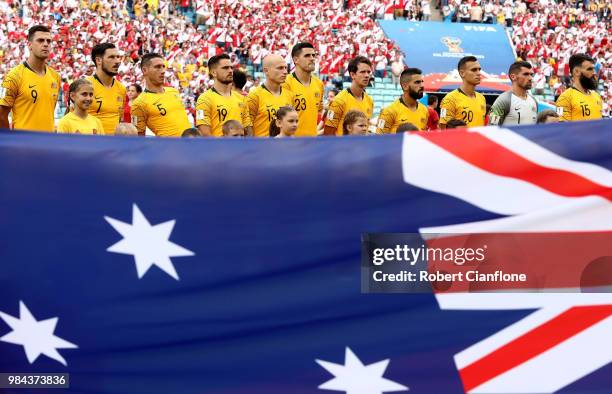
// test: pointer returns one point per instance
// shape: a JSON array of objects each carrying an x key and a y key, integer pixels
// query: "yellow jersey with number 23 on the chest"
[{"x": 308, "y": 103}]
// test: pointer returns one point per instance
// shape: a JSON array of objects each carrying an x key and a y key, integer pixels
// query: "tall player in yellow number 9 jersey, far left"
[{"x": 30, "y": 90}]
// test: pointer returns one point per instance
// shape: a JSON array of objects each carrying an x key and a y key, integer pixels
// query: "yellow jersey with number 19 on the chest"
[{"x": 214, "y": 109}]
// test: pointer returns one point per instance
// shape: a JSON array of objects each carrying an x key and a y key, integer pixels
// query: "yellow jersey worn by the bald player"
[{"x": 263, "y": 106}]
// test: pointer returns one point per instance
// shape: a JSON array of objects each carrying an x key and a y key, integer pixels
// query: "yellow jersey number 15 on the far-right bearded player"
[{"x": 573, "y": 105}]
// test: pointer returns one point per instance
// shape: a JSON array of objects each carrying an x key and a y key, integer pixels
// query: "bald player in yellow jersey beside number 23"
[{"x": 265, "y": 100}]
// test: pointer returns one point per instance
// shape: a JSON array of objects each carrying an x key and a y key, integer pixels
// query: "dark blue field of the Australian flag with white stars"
[{"x": 257, "y": 278}]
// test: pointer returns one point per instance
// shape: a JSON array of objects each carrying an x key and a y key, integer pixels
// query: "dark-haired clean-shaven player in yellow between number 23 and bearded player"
[{"x": 355, "y": 97}]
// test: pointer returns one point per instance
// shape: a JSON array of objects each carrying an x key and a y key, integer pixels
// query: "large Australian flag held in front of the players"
[{"x": 149, "y": 266}]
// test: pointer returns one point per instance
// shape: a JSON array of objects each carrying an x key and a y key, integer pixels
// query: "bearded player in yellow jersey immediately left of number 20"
[{"x": 407, "y": 108}]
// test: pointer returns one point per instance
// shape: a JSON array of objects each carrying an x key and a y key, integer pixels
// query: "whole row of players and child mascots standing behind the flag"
[{"x": 284, "y": 105}]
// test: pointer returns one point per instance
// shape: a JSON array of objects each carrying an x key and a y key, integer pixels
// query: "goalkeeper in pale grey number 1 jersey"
[{"x": 516, "y": 106}]
